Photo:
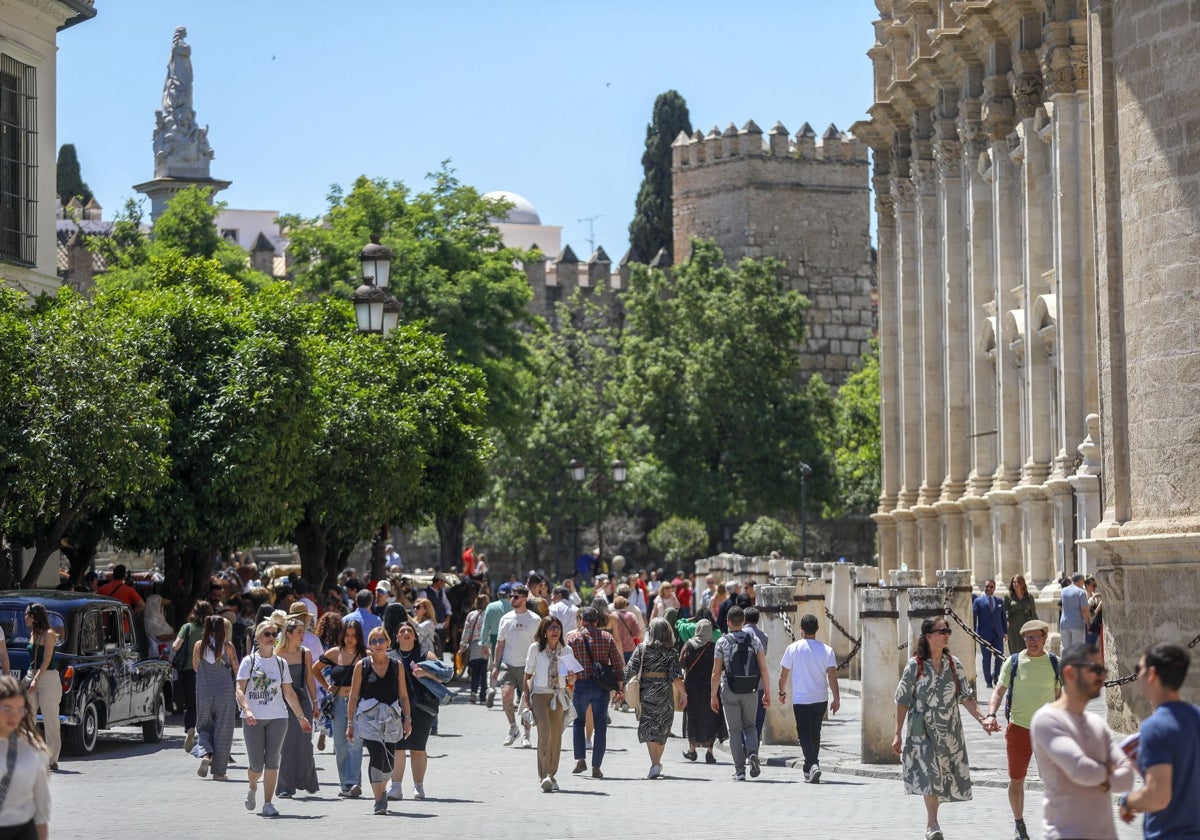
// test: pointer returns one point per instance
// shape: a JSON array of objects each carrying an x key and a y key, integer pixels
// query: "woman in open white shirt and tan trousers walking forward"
[{"x": 551, "y": 670}]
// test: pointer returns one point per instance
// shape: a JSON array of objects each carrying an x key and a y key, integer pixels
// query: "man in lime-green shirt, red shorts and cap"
[{"x": 1028, "y": 681}]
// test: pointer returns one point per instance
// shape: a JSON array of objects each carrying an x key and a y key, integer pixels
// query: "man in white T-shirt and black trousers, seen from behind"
[{"x": 813, "y": 671}]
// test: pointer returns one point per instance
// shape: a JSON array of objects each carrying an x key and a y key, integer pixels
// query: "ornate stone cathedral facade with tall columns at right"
[{"x": 1037, "y": 182}]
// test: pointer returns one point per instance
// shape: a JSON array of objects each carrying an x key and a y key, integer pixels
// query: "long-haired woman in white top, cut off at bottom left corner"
[{"x": 26, "y": 801}]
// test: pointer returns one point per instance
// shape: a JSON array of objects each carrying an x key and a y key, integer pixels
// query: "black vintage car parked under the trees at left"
[{"x": 106, "y": 683}]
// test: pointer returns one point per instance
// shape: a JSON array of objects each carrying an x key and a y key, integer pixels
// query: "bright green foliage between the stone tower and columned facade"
[{"x": 855, "y": 449}]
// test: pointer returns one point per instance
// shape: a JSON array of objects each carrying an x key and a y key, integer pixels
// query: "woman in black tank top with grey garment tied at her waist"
[{"x": 380, "y": 712}]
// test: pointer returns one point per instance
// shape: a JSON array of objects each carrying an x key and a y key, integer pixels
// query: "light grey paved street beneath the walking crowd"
[{"x": 133, "y": 790}]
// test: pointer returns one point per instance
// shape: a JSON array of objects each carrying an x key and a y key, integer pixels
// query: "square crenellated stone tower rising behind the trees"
[{"x": 802, "y": 201}]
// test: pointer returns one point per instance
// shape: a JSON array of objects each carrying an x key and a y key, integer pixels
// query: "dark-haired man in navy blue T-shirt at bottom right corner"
[{"x": 1168, "y": 751}]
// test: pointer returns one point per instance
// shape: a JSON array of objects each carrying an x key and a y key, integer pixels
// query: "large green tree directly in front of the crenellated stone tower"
[{"x": 710, "y": 370}]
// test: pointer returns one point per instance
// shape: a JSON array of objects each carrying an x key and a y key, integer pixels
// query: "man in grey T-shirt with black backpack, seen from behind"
[{"x": 740, "y": 675}]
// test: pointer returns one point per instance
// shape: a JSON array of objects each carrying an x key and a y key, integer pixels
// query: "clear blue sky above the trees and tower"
[{"x": 548, "y": 99}]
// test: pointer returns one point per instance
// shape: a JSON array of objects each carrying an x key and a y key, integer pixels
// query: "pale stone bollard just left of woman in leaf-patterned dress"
[{"x": 881, "y": 670}]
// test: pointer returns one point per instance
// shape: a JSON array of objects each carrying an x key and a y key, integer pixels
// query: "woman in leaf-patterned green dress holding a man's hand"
[{"x": 934, "y": 754}]
